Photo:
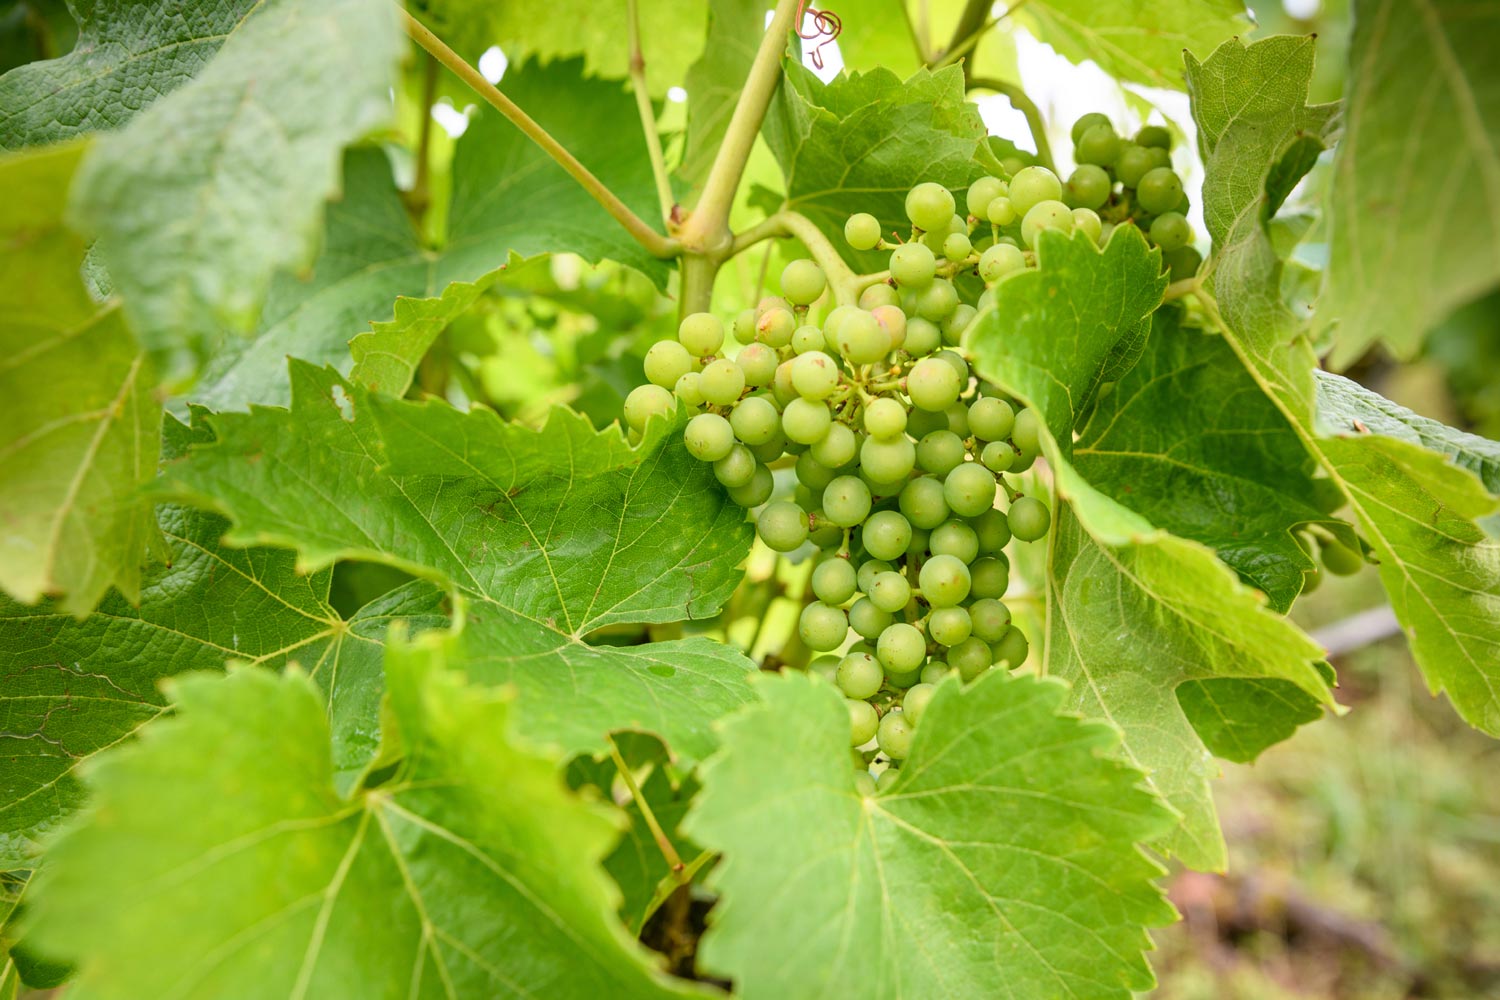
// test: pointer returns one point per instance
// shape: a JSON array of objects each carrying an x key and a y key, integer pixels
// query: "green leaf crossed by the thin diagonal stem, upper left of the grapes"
[{"x": 509, "y": 202}]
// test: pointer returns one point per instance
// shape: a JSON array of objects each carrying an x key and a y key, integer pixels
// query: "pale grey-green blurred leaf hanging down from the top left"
[{"x": 203, "y": 196}]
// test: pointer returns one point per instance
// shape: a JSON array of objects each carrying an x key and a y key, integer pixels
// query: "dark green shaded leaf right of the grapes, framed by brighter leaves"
[{"x": 1189, "y": 442}]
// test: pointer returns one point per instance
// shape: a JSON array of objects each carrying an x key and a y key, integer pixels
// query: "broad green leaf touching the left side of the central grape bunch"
[{"x": 545, "y": 536}]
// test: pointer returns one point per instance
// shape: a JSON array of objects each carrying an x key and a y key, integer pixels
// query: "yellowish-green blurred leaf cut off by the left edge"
[{"x": 79, "y": 424}]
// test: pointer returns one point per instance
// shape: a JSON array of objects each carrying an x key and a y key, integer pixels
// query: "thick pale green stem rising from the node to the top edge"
[{"x": 707, "y": 229}]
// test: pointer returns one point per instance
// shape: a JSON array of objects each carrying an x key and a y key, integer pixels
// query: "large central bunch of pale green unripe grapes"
[{"x": 895, "y": 460}]
